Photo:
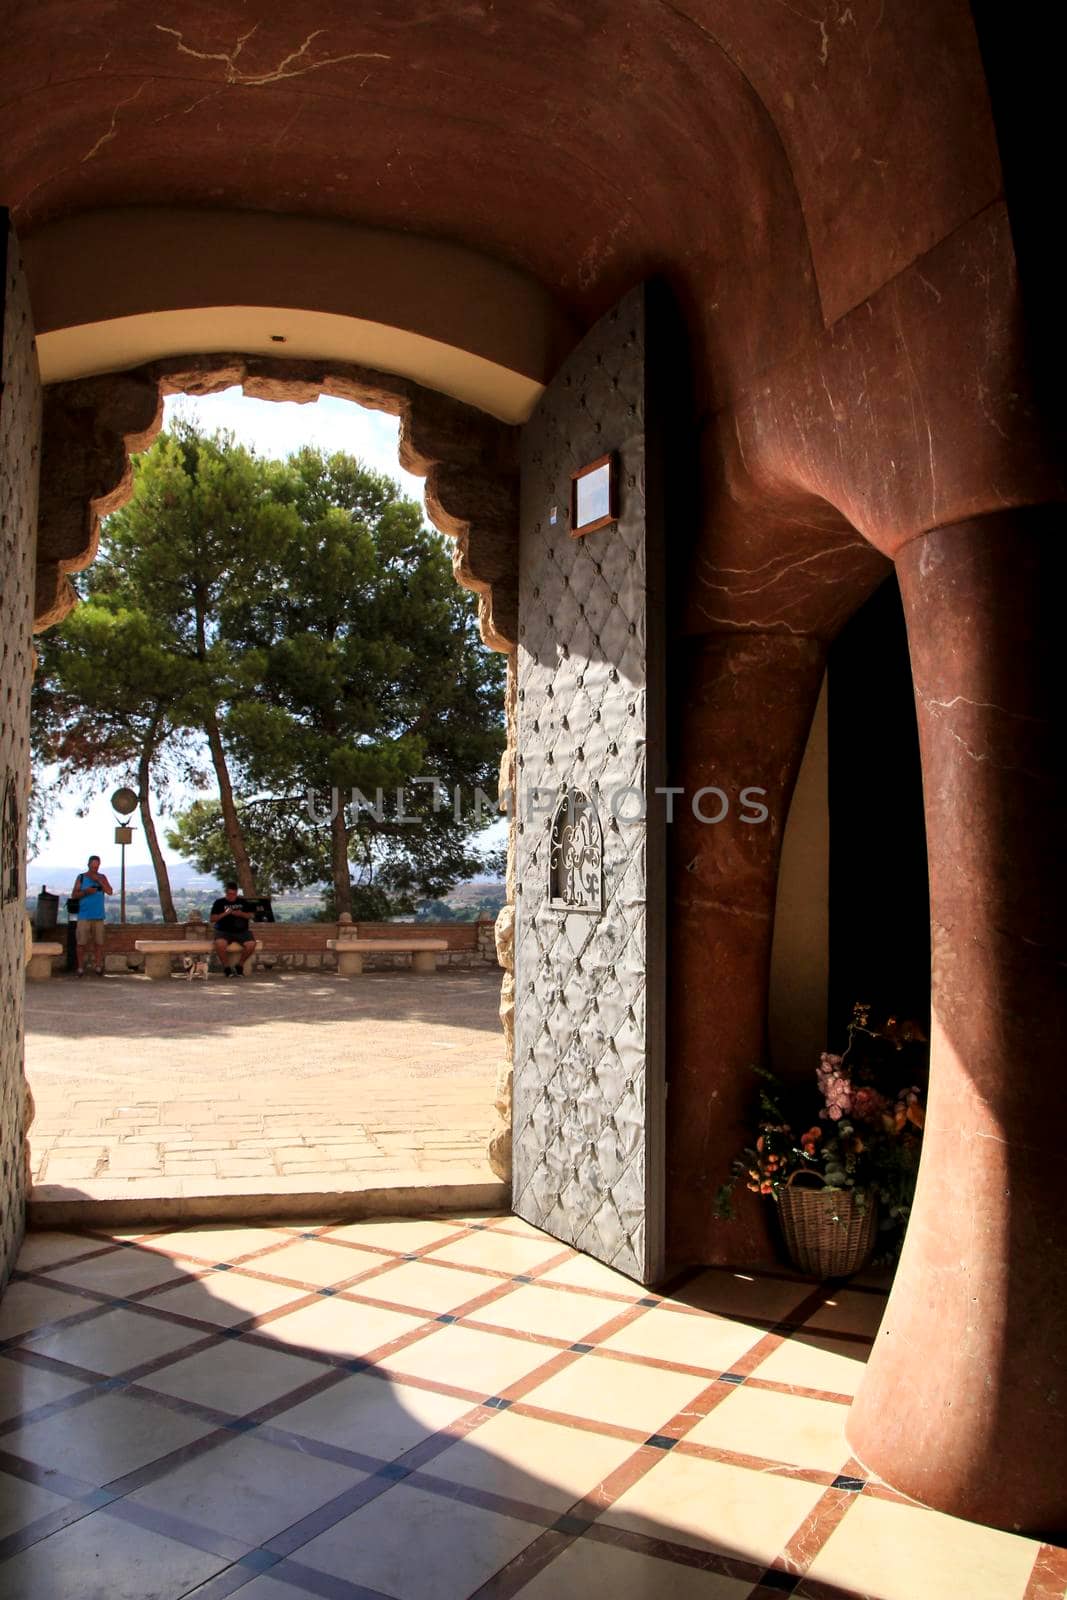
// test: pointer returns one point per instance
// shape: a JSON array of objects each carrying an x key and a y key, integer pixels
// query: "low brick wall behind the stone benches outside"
[{"x": 302, "y": 946}]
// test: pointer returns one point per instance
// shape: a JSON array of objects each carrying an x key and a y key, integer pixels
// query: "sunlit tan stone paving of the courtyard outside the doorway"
[{"x": 262, "y": 1079}]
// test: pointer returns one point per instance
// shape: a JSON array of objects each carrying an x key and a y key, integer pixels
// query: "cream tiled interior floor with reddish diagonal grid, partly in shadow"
[{"x": 444, "y": 1409}]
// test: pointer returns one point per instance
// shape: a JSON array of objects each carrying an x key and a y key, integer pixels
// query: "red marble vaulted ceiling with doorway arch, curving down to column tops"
[{"x": 818, "y": 180}]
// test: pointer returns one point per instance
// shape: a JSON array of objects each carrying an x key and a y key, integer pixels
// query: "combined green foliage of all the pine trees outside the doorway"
[{"x": 298, "y": 622}]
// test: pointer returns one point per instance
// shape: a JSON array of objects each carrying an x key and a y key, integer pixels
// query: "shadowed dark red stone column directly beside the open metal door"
[{"x": 745, "y": 706}]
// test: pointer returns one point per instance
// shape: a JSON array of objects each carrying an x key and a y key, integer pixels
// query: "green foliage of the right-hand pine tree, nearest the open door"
[{"x": 370, "y": 676}]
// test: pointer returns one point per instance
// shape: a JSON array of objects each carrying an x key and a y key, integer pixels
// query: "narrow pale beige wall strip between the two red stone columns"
[{"x": 801, "y": 954}]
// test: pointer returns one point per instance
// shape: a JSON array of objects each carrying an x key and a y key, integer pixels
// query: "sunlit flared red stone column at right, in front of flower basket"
[{"x": 965, "y": 1398}]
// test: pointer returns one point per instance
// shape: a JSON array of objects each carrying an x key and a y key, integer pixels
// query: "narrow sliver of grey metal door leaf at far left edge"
[{"x": 20, "y": 446}]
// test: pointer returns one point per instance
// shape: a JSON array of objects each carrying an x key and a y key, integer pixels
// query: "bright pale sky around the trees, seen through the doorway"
[{"x": 273, "y": 430}]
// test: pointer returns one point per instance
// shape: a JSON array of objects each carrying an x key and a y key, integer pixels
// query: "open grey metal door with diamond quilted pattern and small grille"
[{"x": 589, "y": 1052}]
